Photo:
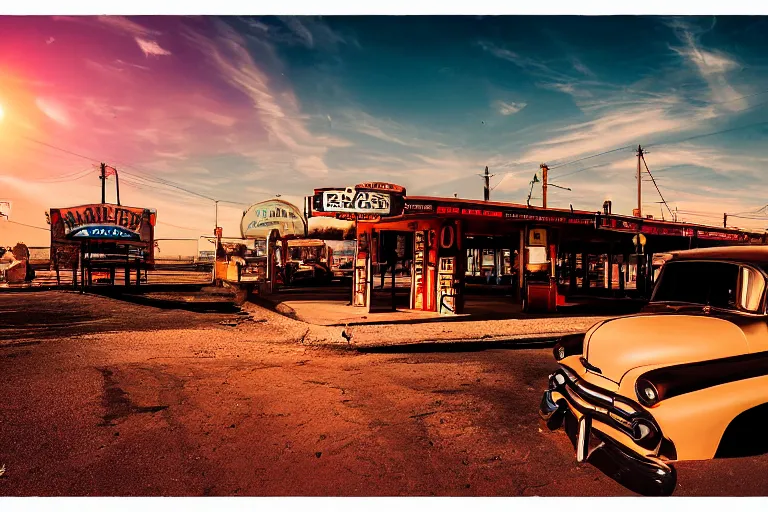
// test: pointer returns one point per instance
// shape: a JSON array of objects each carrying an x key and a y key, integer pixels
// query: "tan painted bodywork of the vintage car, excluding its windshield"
[{"x": 705, "y": 351}]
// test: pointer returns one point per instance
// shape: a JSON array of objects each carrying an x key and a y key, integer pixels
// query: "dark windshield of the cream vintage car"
[{"x": 717, "y": 284}]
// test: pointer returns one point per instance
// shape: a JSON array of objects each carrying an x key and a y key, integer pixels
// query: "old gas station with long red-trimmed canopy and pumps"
[{"x": 547, "y": 258}]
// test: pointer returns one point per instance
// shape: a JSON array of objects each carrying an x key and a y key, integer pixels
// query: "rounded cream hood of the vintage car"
[{"x": 617, "y": 346}]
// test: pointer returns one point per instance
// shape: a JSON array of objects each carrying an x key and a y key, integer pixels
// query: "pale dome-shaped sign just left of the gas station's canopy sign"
[{"x": 275, "y": 214}]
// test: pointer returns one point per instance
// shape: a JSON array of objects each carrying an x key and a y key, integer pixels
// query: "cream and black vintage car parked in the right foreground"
[{"x": 686, "y": 379}]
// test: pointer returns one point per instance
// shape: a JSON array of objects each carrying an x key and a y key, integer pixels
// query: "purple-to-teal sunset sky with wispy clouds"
[{"x": 243, "y": 109}]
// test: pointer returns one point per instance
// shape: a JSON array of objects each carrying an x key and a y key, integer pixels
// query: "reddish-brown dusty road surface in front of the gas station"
[{"x": 131, "y": 400}]
